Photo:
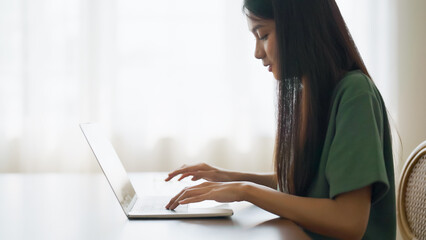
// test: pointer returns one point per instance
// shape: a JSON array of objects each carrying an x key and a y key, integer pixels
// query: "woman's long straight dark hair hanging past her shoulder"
[{"x": 314, "y": 45}]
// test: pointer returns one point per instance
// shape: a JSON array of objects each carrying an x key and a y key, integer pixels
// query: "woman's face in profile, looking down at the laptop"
[{"x": 264, "y": 32}]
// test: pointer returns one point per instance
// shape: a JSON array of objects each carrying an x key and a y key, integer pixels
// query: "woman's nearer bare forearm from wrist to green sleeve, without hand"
[{"x": 345, "y": 217}]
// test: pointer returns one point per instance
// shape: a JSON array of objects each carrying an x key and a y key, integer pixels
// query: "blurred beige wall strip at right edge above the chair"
[{"x": 411, "y": 65}]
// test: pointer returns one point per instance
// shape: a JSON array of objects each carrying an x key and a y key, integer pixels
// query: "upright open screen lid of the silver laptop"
[{"x": 110, "y": 164}]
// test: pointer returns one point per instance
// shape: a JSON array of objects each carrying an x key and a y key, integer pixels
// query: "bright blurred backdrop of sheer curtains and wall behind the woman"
[{"x": 174, "y": 82}]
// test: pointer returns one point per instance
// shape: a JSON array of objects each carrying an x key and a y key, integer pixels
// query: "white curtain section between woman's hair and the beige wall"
[{"x": 374, "y": 26}]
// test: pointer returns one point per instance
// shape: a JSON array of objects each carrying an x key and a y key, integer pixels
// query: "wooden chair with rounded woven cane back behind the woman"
[{"x": 411, "y": 201}]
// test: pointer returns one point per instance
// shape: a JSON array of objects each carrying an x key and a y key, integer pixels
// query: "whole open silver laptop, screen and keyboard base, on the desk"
[{"x": 136, "y": 207}]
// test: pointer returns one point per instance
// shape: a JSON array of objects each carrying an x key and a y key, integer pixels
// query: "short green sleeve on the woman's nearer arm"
[{"x": 356, "y": 157}]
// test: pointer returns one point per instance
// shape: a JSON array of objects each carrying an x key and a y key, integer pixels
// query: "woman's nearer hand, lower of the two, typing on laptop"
[{"x": 220, "y": 192}]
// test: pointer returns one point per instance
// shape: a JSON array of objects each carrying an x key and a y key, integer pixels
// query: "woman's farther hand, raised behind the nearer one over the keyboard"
[{"x": 201, "y": 171}]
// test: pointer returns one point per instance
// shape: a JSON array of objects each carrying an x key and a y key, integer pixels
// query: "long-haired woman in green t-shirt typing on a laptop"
[{"x": 333, "y": 155}]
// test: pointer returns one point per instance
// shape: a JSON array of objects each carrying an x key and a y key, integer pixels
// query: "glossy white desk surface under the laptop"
[{"x": 73, "y": 206}]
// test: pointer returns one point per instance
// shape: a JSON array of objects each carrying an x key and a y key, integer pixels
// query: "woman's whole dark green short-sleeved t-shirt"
[{"x": 357, "y": 153}]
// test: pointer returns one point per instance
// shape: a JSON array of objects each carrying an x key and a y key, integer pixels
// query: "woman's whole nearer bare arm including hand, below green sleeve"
[{"x": 344, "y": 217}]
